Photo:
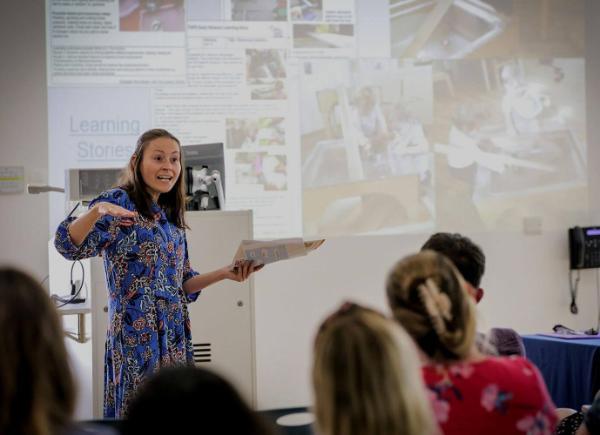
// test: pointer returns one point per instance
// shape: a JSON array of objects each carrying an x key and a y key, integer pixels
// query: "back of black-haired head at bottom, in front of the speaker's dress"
[{"x": 179, "y": 397}]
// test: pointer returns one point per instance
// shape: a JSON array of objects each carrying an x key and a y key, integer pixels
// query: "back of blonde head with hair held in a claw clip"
[{"x": 427, "y": 296}]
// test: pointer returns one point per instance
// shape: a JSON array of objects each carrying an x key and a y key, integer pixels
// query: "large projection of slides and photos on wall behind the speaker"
[{"x": 339, "y": 117}]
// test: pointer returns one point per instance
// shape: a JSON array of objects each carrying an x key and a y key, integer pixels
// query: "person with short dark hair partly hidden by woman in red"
[{"x": 469, "y": 259}]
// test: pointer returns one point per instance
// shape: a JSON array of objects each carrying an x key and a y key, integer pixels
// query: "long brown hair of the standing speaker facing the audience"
[{"x": 173, "y": 202}]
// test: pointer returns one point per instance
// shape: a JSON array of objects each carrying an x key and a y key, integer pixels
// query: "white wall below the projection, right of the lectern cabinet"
[{"x": 526, "y": 285}]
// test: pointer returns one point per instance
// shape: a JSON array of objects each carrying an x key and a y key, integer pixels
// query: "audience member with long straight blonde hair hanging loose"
[{"x": 366, "y": 377}]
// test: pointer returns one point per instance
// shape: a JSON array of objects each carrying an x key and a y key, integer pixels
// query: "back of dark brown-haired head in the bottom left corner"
[{"x": 37, "y": 393}]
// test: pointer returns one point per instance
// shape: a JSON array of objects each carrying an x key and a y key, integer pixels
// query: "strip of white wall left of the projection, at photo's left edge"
[{"x": 24, "y": 137}]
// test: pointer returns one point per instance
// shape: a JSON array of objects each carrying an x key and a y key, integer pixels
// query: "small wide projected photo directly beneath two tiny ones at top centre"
[{"x": 323, "y": 35}]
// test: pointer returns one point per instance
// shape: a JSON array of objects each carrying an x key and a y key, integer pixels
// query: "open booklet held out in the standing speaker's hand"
[{"x": 270, "y": 251}]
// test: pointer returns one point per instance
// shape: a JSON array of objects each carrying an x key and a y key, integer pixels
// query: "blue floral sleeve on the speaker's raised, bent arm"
[{"x": 103, "y": 233}]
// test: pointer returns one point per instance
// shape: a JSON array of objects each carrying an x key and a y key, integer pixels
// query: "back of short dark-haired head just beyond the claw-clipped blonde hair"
[{"x": 468, "y": 258}]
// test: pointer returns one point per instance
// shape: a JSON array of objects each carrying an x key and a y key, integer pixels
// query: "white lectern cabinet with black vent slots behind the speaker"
[{"x": 222, "y": 318}]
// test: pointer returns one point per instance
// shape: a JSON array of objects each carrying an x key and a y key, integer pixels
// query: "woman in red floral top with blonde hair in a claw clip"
[{"x": 471, "y": 393}]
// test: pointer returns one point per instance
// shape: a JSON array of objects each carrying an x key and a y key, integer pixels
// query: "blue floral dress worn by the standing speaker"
[{"x": 146, "y": 265}]
